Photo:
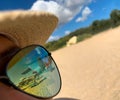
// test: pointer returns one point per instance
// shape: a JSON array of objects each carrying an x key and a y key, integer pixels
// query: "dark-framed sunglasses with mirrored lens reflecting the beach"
[{"x": 33, "y": 71}]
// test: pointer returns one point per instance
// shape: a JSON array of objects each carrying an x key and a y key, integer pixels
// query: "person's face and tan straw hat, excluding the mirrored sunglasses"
[{"x": 19, "y": 29}]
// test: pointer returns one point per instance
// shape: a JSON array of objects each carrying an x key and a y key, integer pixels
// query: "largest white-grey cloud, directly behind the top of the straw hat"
[{"x": 66, "y": 10}]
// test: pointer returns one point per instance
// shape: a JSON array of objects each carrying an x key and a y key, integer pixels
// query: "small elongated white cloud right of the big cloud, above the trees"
[{"x": 85, "y": 13}]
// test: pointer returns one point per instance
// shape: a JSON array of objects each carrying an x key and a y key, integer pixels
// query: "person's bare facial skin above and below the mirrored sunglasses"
[{"x": 8, "y": 92}]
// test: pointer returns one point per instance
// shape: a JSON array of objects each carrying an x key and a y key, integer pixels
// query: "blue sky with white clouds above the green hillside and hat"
[{"x": 72, "y": 14}]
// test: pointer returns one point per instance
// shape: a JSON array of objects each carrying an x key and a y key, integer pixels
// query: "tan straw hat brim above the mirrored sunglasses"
[{"x": 27, "y": 27}]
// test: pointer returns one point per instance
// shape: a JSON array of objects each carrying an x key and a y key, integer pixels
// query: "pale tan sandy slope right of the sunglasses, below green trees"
[{"x": 90, "y": 70}]
